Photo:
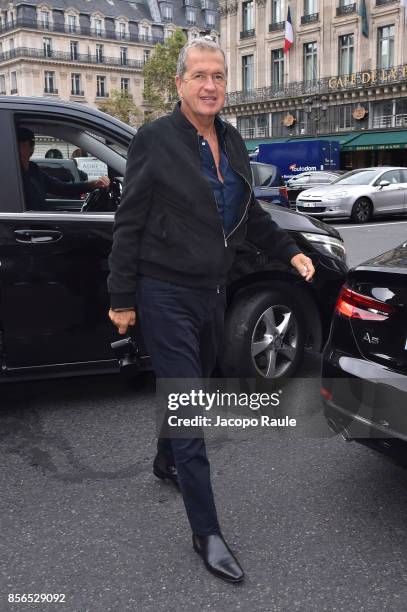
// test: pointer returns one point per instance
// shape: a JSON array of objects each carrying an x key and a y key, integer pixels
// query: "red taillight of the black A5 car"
[{"x": 357, "y": 306}]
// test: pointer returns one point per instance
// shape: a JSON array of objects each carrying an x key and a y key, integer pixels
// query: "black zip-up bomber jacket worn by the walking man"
[{"x": 168, "y": 226}]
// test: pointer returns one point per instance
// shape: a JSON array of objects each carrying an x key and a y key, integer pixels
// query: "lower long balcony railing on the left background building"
[{"x": 63, "y": 56}]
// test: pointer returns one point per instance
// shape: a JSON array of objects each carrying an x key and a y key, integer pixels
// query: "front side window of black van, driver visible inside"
[{"x": 68, "y": 154}]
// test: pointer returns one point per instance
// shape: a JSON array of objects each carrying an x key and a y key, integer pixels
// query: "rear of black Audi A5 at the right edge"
[{"x": 364, "y": 371}]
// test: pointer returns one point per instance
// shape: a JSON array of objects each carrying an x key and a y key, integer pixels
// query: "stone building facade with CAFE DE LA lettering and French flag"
[{"x": 345, "y": 75}]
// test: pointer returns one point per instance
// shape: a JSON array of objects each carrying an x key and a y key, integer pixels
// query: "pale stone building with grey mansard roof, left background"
[{"x": 81, "y": 50}]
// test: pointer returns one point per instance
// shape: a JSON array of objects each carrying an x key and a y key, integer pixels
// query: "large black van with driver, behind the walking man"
[{"x": 53, "y": 296}]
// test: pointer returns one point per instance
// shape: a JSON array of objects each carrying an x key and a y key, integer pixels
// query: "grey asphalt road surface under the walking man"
[{"x": 317, "y": 523}]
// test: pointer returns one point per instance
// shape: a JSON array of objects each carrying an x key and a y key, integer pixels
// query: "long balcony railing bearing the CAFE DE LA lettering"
[{"x": 337, "y": 84}]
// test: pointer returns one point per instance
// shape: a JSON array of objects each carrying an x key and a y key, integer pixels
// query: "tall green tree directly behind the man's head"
[{"x": 160, "y": 92}]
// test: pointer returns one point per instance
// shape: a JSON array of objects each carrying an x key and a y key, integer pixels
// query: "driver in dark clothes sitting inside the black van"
[{"x": 38, "y": 183}]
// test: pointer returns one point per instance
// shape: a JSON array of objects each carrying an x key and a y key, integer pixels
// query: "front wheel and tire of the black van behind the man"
[{"x": 264, "y": 336}]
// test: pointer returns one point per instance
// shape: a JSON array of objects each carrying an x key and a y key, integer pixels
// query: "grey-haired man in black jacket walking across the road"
[{"x": 187, "y": 205}]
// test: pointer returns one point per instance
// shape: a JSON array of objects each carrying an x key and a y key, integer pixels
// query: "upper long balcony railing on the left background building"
[{"x": 34, "y": 24}]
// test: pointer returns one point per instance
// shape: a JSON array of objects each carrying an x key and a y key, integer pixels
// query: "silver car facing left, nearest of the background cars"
[{"x": 359, "y": 195}]
